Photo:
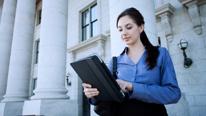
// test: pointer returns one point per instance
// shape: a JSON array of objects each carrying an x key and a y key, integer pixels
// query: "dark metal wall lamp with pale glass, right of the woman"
[{"x": 183, "y": 46}]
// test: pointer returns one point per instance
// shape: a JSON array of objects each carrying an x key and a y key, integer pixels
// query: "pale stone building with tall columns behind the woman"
[{"x": 39, "y": 39}]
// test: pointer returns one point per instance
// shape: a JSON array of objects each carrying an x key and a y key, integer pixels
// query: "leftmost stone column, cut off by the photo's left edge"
[{"x": 6, "y": 34}]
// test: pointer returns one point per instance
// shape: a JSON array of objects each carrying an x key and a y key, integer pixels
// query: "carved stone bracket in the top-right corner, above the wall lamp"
[{"x": 193, "y": 11}]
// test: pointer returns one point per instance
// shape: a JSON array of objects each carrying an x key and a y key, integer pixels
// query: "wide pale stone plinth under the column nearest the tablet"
[{"x": 55, "y": 107}]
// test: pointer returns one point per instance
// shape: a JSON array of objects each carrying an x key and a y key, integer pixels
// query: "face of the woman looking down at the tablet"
[{"x": 129, "y": 30}]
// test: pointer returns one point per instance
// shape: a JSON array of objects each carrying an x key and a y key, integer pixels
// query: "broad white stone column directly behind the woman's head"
[{"x": 148, "y": 14}]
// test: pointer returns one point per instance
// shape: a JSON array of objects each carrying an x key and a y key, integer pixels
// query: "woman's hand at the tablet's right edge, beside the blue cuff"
[{"x": 124, "y": 85}]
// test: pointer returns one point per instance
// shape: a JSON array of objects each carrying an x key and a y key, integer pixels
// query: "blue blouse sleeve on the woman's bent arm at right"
[{"x": 164, "y": 93}]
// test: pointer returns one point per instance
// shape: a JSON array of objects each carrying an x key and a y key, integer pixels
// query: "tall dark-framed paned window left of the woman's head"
[{"x": 89, "y": 22}]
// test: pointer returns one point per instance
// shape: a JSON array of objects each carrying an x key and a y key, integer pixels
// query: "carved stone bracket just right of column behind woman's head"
[{"x": 164, "y": 13}]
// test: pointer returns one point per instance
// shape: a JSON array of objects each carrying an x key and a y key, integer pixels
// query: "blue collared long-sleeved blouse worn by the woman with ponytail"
[{"x": 158, "y": 85}]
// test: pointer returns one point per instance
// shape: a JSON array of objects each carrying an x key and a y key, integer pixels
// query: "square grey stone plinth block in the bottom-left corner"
[{"x": 11, "y": 108}]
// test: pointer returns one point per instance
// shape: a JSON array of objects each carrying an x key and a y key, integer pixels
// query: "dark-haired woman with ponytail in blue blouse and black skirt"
[{"x": 145, "y": 71}]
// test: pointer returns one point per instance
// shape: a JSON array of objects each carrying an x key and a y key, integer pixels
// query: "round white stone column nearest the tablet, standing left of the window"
[{"x": 52, "y": 51}]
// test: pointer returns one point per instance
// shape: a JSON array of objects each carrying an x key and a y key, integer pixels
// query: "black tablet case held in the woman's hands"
[{"x": 93, "y": 70}]
